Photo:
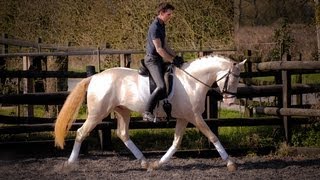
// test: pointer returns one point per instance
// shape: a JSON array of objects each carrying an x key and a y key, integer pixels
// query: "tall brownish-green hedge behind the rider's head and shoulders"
[{"x": 120, "y": 23}]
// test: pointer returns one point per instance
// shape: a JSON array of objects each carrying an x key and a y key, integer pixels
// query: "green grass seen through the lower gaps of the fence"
[{"x": 161, "y": 139}]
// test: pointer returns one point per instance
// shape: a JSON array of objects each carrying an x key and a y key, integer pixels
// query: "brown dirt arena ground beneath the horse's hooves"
[{"x": 108, "y": 165}]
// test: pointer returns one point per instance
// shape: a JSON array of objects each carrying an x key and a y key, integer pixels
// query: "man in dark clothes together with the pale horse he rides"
[{"x": 123, "y": 90}]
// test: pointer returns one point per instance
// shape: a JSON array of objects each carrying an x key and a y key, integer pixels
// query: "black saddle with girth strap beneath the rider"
[{"x": 168, "y": 78}]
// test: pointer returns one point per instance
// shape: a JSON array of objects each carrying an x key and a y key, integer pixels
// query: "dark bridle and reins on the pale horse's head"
[{"x": 225, "y": 86}]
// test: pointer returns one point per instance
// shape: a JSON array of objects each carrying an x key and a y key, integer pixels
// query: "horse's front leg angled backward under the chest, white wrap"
[{"x": 181, "y": 125}]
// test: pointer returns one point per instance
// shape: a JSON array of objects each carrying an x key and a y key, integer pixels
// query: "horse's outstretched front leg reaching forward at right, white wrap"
[{"x": 203, "y": 127}]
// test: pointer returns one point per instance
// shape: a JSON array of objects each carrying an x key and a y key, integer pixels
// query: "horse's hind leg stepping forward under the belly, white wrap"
[{"x": 123, "y": 119}]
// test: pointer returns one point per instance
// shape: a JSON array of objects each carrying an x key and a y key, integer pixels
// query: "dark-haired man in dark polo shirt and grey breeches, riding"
[{"x": 158, "y": 52}]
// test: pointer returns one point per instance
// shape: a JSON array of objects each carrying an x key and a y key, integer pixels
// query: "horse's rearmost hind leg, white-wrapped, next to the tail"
[{"x": 82, "y": 133}]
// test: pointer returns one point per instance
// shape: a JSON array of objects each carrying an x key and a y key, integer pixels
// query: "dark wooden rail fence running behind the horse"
[{"x": 283, "y": 90}]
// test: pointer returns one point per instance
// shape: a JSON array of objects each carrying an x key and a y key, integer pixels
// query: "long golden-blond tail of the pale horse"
[{"x": 69, "y": 111}]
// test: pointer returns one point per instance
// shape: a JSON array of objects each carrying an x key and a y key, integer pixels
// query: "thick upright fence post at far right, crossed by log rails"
[{"x": 286, "y": 98}]
